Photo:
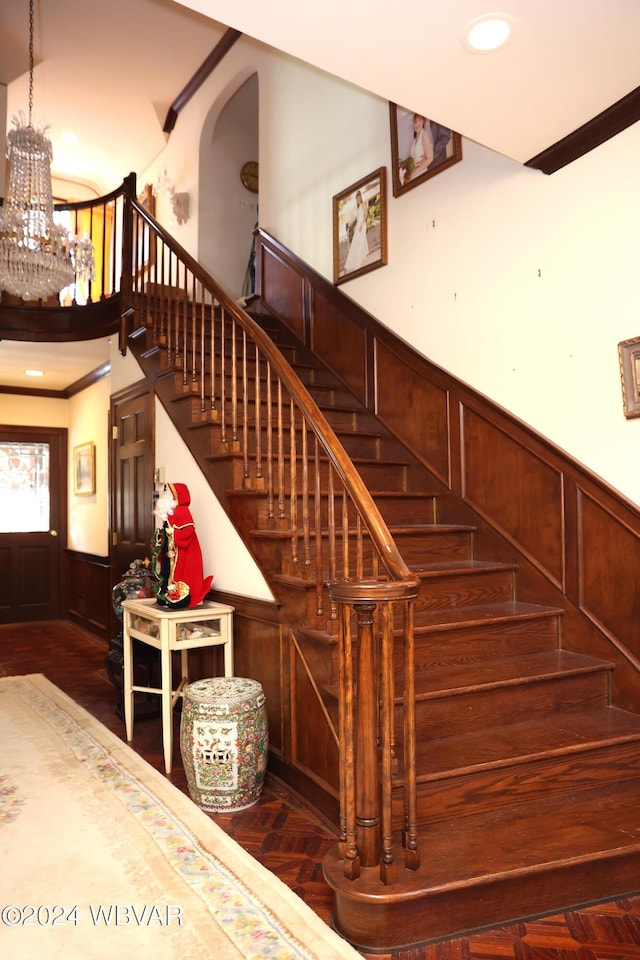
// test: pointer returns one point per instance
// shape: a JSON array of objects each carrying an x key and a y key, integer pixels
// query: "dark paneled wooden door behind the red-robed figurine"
[{"x": 133, "y": 524}]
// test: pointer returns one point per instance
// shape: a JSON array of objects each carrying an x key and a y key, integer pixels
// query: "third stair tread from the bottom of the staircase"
[{"x": 452, "y": 679}]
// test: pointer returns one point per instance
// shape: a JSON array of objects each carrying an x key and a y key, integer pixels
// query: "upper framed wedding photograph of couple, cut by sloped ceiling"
[{"x": 420, "y": 148}]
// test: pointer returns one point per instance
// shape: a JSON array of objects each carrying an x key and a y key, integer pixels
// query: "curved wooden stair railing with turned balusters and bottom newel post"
[{"x": 284, "y": 445}]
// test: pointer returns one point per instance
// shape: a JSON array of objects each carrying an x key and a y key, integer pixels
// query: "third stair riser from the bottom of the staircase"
[{"x": 472, "y": 712}]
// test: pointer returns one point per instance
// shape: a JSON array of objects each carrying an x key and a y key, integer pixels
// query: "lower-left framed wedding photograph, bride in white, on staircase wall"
[{"x": 360, "y": 227}]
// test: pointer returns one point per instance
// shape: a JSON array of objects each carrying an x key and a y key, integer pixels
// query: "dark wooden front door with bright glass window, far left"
[{"x": 33, "y": 521}]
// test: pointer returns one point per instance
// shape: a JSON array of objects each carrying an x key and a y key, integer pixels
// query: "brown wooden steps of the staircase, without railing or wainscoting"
[{"x": 528, "y": 779}]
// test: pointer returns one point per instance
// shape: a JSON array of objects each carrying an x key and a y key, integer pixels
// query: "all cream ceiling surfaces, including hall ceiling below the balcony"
[{"x": 110, "y": 72}]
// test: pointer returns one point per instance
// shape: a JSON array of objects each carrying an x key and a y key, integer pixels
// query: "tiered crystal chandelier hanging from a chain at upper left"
[{"x": 38, "y": 257}]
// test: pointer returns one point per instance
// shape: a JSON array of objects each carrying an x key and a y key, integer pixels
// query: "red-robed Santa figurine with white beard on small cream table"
[{"x": 177, "y": 557}]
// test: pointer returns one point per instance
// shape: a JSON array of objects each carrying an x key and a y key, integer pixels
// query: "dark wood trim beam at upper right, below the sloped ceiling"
[{"x": 590, "y": 135}]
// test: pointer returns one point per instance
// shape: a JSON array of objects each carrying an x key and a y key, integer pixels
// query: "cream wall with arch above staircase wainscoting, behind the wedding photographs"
[{"x": 520, "y": 284}]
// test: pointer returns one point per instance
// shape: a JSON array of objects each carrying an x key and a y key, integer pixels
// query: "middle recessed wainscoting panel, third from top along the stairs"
[{"x": 414, "y": 408}]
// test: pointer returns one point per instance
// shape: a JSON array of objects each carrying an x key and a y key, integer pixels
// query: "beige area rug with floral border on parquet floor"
[{"x": 100, "y": 856}]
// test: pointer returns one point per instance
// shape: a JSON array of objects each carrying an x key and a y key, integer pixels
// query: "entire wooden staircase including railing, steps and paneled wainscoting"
[{"x": 455, "y": 649}]
